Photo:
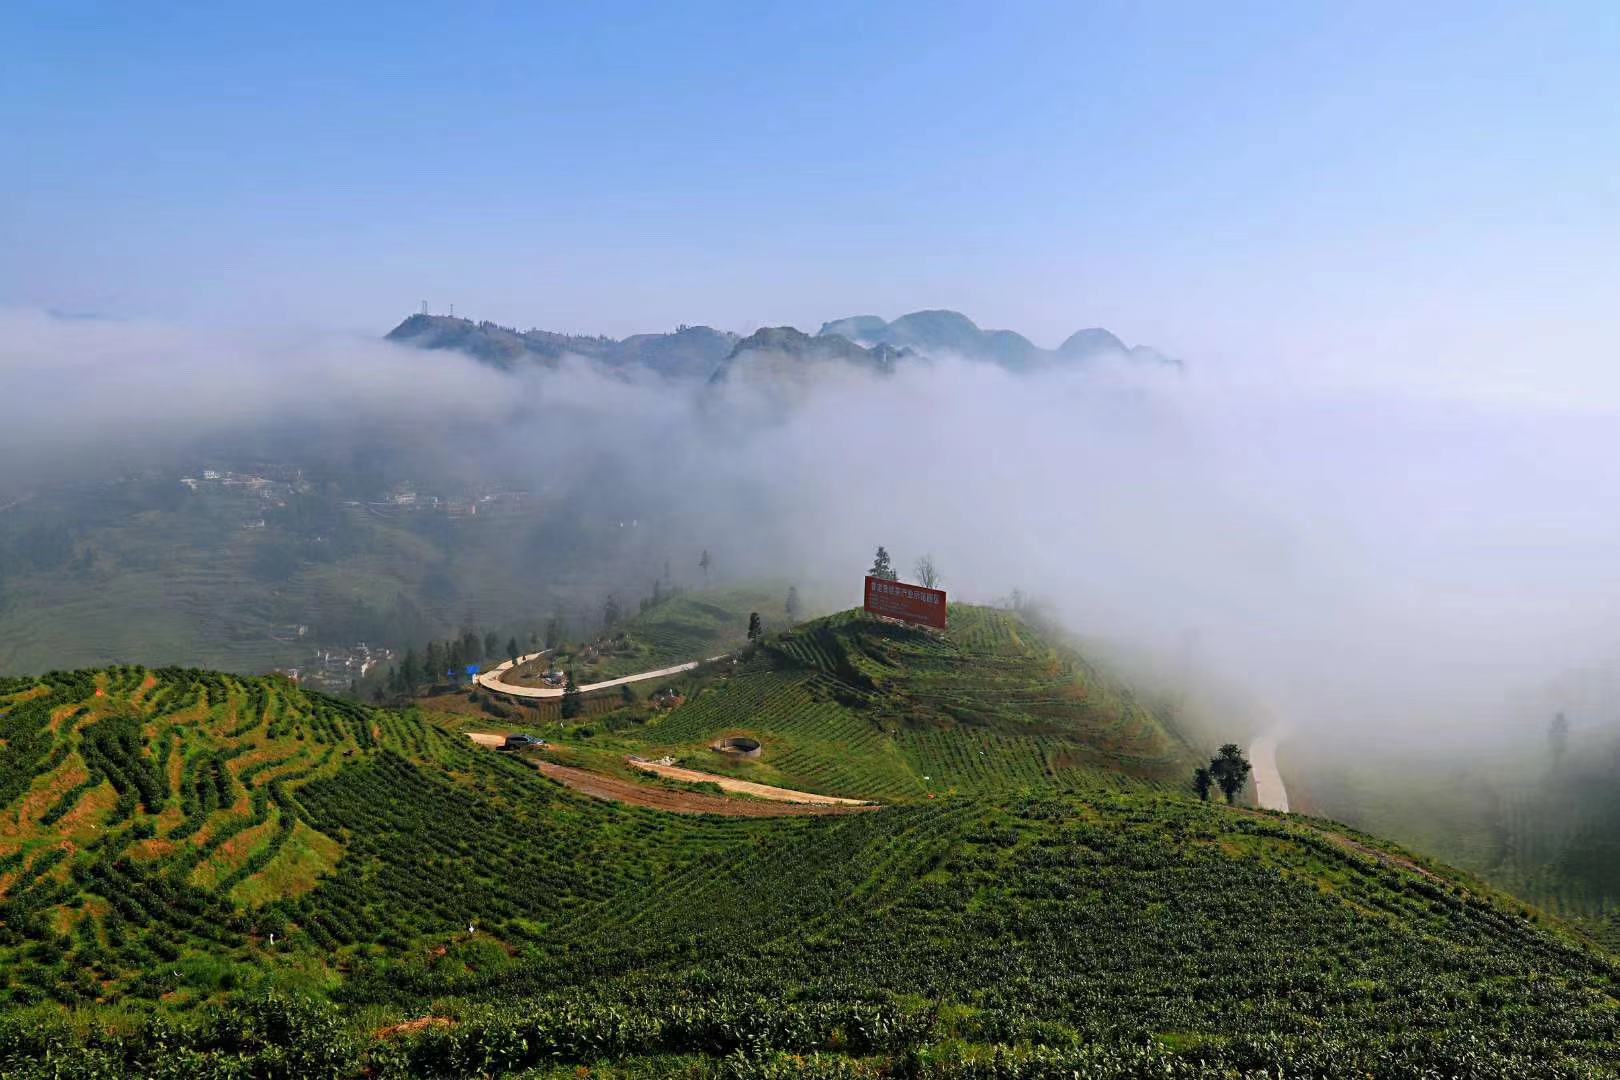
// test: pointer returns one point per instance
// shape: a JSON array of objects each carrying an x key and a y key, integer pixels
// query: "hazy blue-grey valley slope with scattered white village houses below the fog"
[{"x": 224, "y": 576}]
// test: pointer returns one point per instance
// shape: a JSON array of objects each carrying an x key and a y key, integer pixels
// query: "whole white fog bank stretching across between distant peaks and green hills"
[{"x": 1337, "y": 556}]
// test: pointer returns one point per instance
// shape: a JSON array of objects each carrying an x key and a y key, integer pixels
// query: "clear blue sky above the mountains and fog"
[{"x": 1302, "y": 185}]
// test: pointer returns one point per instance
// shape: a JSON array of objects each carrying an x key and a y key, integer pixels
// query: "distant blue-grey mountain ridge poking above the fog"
[{"x": 699, "y": 352}]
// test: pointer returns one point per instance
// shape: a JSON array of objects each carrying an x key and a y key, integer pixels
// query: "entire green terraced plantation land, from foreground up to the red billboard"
[{"x": 232, "y": 874}]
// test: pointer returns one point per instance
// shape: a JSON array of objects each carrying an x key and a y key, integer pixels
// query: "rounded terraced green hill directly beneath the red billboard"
[{"x": 861, "y": 708}]
